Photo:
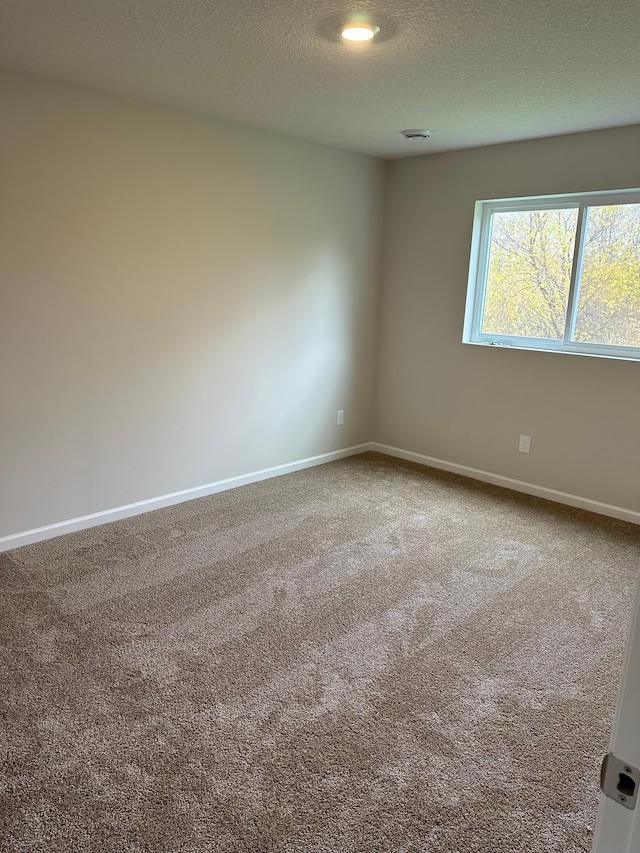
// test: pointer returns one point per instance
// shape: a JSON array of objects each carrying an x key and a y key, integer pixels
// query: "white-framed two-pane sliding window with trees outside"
[{"x": 559, "y": 273}]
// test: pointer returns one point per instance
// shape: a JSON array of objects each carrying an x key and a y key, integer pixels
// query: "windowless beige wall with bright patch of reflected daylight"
[{"x": 181, "y": 301}]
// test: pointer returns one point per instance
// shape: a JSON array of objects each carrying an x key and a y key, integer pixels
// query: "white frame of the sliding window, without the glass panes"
[{"x": 479, "y": 264}]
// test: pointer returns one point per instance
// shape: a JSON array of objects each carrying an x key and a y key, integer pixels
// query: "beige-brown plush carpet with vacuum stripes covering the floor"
[{"x": 366, "y": 656}]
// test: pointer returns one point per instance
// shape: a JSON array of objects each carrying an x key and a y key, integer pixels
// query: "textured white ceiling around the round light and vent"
[{"x": 473, "y": 71}]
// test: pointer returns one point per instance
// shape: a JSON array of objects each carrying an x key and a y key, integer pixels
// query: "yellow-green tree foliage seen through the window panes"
[{"x": 532, "y": 253}]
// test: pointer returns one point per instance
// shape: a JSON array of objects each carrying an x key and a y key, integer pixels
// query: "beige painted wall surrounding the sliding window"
[{"x": 468, "y": 404}]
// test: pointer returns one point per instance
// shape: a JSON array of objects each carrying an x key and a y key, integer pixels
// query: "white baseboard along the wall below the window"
[{"x": 509, "y": 483}]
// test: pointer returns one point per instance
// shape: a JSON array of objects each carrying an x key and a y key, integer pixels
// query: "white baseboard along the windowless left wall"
[{"x": 60, "y": 528}]
